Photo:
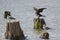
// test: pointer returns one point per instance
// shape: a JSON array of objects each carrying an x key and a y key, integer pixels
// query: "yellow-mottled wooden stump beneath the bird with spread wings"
[{"x": 38, "y": 23}]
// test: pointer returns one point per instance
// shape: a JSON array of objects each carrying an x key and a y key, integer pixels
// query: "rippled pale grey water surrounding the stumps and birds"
[{"x": 23, "y": 11}]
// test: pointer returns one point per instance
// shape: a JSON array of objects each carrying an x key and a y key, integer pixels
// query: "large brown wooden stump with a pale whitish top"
[{"x": 13, "y": 30}]
